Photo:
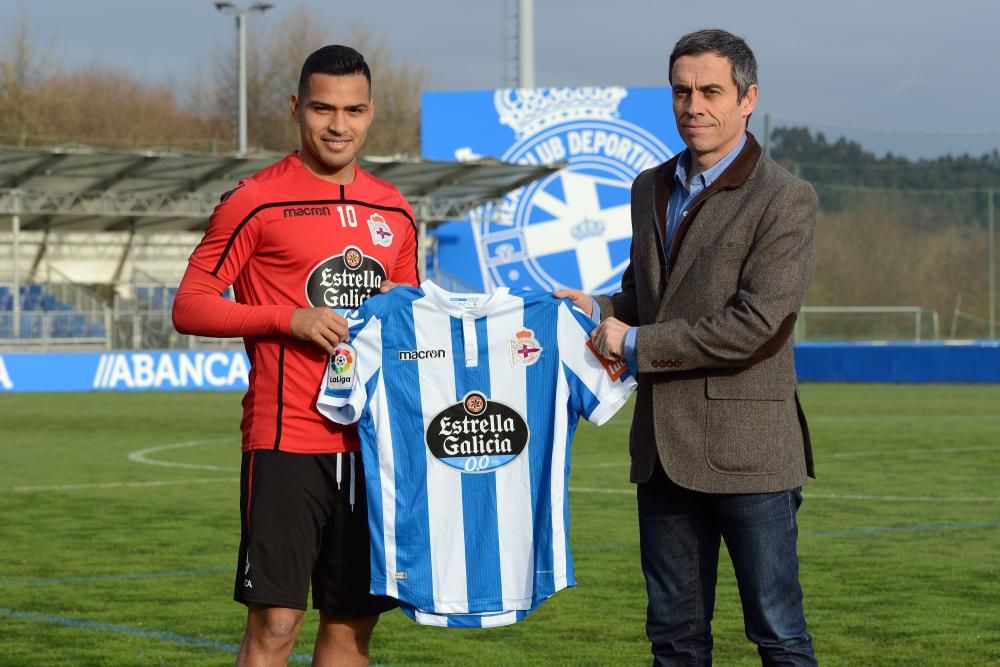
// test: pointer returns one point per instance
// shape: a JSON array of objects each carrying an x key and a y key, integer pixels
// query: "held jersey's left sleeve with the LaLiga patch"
[{"x": 344, "y": 394}]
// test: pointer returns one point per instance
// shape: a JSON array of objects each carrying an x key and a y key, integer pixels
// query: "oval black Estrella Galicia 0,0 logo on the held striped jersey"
[{"x": 477, "y": 434}]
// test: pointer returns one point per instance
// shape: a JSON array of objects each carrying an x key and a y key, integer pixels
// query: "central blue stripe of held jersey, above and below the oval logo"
[{"x": 479, "y": 490}]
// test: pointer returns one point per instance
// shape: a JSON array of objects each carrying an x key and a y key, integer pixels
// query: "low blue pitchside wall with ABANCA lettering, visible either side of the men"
[{"x": 977, "y": 362}]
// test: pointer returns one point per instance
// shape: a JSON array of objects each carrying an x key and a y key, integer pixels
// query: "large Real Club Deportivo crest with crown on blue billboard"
[{"x": 571, "y": 228}]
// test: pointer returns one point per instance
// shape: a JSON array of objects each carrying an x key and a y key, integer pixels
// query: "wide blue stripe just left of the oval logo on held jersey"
[{"x": 412, "y": 523}]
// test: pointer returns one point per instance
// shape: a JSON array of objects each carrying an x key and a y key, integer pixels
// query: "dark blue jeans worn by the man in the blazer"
[{"x": 679, "y": 536}]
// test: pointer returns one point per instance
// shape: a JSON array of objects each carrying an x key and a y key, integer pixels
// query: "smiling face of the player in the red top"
[{"x": 333, "y": 118}]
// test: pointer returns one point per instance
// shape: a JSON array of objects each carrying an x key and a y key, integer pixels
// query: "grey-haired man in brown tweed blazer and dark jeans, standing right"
[{"x": 722, "y": 253}]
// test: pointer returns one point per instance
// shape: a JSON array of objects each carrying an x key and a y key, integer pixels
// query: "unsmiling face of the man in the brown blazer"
[{"x": 710, "y": 119}]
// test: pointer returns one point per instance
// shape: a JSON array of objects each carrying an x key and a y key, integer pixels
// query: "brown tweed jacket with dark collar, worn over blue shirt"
[{"x": 718, "y": 397}]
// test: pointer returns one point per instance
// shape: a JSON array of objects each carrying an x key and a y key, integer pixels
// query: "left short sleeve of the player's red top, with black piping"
[{"x": 232, "y": 234}]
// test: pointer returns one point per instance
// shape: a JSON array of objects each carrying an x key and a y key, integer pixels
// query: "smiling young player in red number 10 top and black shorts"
[{"x": 307, "y": 235}]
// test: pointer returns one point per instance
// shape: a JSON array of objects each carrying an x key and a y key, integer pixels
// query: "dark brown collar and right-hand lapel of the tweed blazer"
[{"x": 692, "y": 235}]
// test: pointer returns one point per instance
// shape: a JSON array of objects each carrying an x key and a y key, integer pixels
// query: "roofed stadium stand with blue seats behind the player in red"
[{"x": 99, "y": 239}]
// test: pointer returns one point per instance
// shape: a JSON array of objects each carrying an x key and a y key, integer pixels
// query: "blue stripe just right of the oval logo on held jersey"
[{"x": 540, "y": 384}]
